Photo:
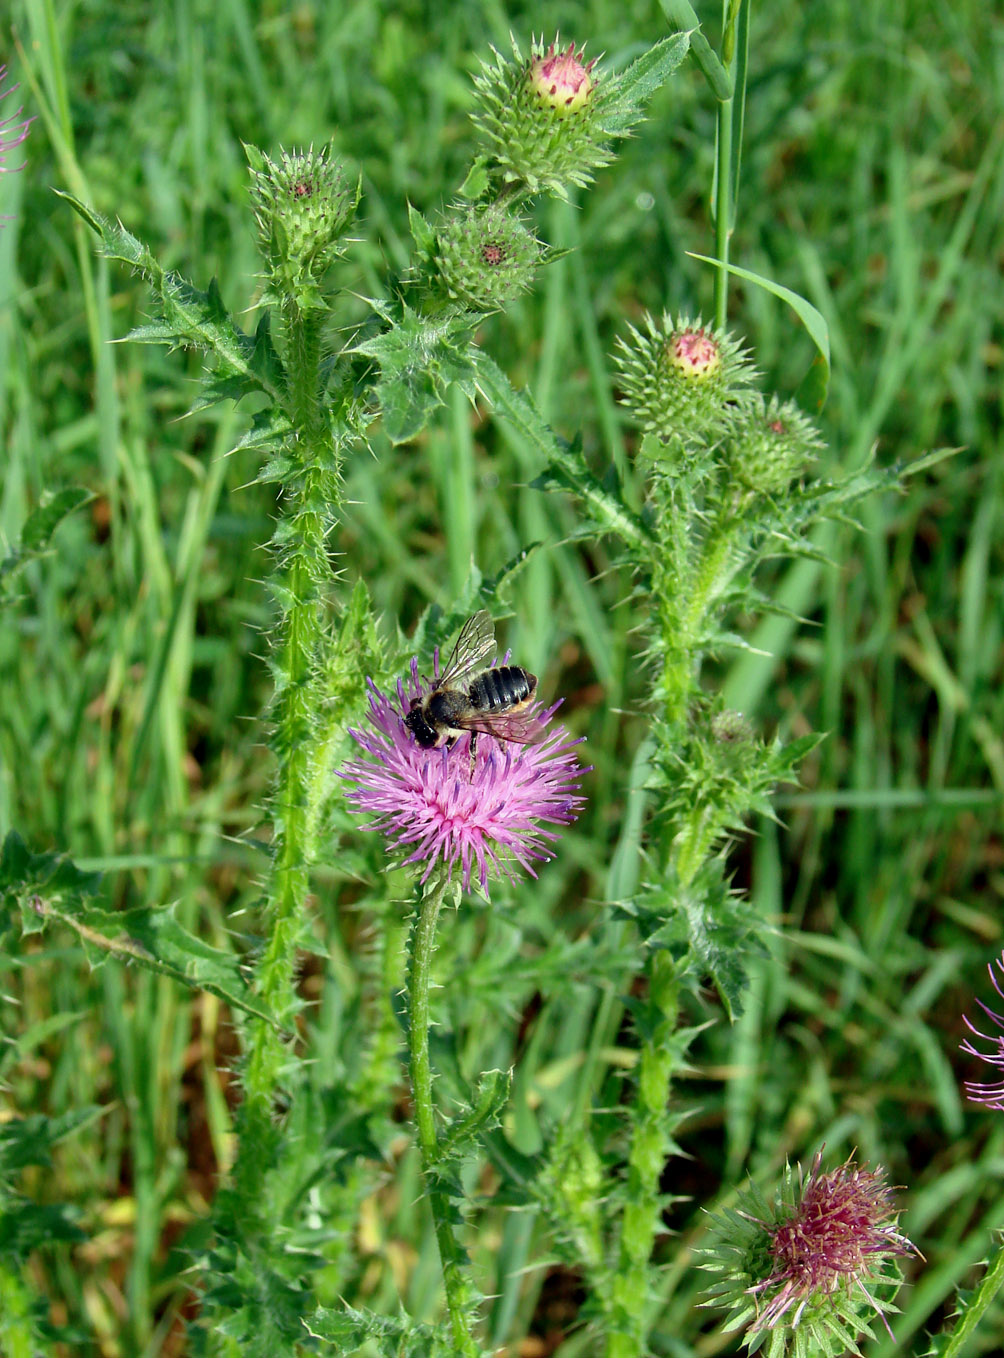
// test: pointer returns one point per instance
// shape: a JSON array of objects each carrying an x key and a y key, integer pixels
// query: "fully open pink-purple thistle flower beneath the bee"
[{"x": 433, "y": 811}]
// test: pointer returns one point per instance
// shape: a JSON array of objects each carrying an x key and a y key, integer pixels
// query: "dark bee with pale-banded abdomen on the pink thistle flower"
[{"x": 473, "y": 697}]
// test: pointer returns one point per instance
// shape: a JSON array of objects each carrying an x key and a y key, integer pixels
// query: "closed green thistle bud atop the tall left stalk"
[{"x": 304, "y": 204}]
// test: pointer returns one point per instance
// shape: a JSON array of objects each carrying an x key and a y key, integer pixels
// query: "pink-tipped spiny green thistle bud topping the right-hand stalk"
[{"x": 683, "y": 378}]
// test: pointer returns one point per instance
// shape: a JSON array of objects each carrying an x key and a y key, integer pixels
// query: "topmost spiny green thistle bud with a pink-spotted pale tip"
[{"x": 543, "y": 119}]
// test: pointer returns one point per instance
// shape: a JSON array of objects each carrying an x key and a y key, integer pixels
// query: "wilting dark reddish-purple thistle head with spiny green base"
[{"x": 805, "y": 1274}]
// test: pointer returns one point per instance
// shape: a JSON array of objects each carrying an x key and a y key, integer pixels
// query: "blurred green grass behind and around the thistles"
[{"x": 874, "y": 185}]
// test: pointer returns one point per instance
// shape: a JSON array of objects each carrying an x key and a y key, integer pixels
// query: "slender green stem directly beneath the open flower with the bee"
[{"x": 460, "y": 1295}]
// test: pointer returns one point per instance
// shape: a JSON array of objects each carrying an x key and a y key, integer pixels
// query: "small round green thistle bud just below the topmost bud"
[{"x": 486, "y": 257}]
